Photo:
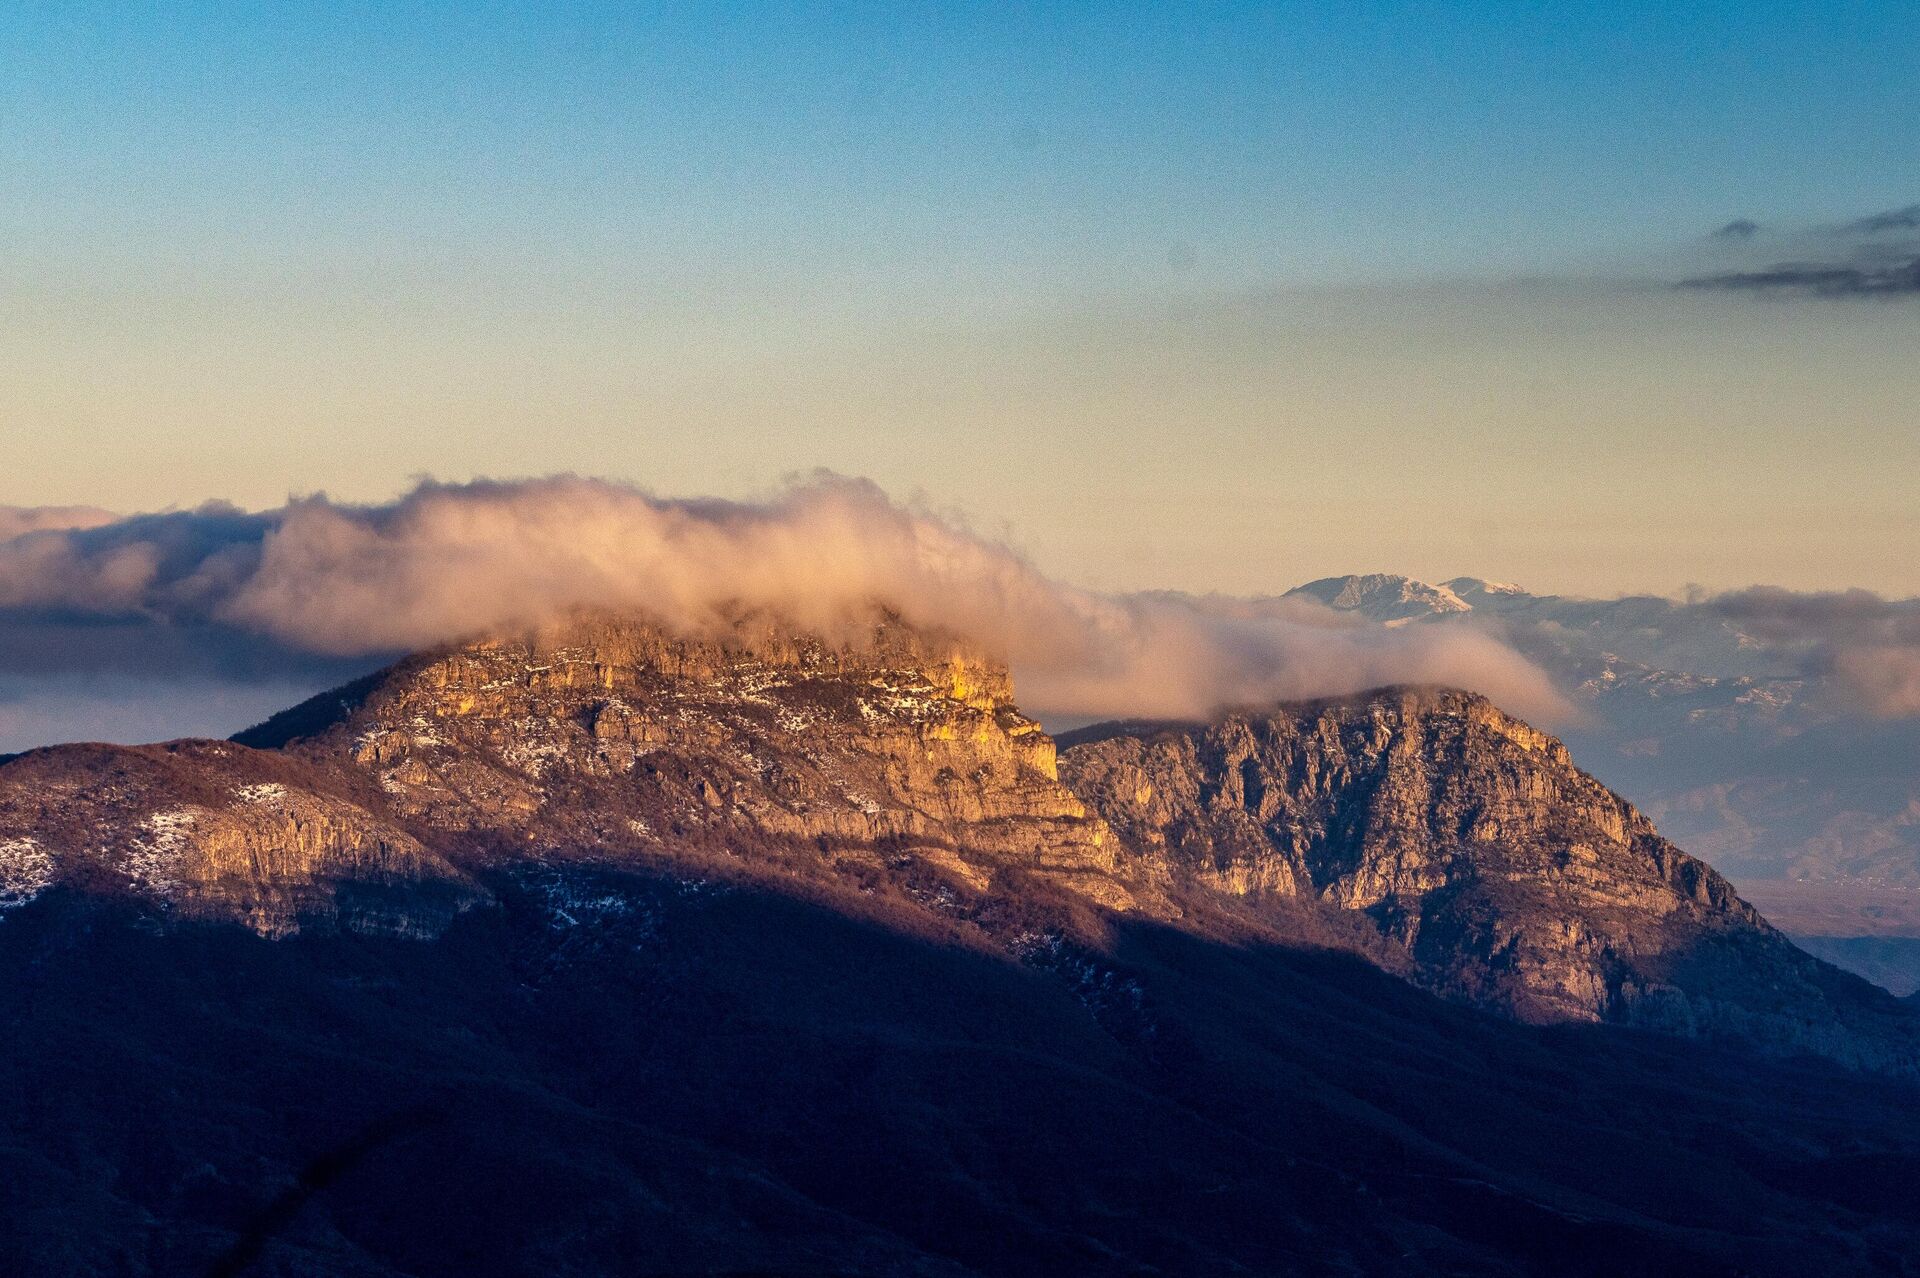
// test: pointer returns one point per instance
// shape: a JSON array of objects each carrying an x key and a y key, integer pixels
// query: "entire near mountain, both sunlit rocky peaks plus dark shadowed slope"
[{"x": 598, "y": 951}]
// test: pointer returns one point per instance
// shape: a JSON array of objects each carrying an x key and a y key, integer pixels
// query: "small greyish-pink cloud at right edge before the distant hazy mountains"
[{"x": 1869, "y": 644}]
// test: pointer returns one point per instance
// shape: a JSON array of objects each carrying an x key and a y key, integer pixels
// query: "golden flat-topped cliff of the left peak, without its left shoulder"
[{"x": 613, "y": 734}]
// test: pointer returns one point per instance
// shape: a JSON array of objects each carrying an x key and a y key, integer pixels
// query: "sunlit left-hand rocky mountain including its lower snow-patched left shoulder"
[{"x": 600, "y": 738}]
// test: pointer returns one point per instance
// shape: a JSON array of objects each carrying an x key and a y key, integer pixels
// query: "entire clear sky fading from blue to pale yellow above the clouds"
[{"x": 1170, "y": 260}]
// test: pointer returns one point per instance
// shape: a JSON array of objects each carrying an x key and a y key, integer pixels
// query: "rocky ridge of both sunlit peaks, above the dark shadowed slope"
[{"x": 900, "y": 759}]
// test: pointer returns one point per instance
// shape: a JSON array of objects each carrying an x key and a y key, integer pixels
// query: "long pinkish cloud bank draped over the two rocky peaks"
[{"x": 331, "y": 580}]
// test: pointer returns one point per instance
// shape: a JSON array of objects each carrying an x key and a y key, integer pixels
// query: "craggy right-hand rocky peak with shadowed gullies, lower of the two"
[{"x": 1512, "y": 878}]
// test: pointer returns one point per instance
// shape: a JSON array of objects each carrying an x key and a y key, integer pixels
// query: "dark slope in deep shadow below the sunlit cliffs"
[{"x": 667, "y": 1074}]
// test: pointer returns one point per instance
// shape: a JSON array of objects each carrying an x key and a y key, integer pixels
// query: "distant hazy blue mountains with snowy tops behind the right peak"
[{"x": 1739, "y": 747}]
